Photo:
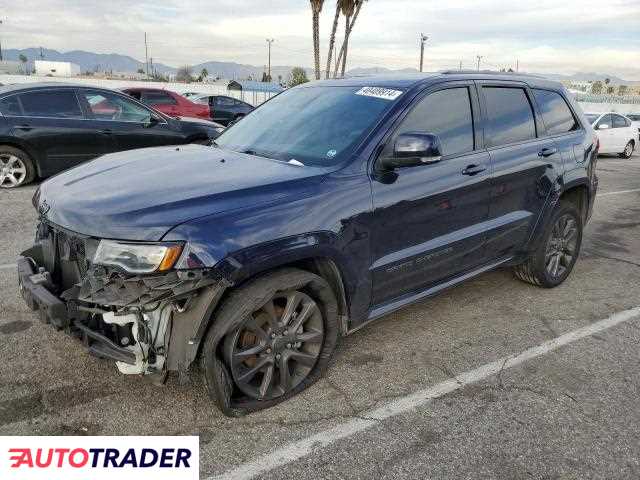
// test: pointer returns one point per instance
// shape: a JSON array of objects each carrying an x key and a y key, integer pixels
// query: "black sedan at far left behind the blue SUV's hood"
[{"x": 47, "y": 128}]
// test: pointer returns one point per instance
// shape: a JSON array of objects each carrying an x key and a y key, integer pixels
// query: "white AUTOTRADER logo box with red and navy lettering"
[{"x": 71, "y": 458}]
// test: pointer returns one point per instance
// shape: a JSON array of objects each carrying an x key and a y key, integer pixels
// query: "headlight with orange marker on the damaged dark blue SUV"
[{"x": 137, "y": 257}]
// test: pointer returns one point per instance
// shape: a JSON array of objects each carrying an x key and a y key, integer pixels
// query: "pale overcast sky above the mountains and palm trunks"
[{"x": 559, "y": 36}]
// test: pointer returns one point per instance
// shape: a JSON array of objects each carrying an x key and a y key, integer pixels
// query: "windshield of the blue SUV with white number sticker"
[{"x": 313, "y": 125}]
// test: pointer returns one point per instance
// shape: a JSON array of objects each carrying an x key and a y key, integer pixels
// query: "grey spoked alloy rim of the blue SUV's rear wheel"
[{"x": 562, "y": 246}]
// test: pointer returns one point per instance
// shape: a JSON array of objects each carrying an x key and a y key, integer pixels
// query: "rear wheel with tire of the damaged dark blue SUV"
[{"x": 542, "y": 268}]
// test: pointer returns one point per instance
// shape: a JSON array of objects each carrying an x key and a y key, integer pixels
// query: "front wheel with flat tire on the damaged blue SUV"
[{"x": 249, "y": 348}]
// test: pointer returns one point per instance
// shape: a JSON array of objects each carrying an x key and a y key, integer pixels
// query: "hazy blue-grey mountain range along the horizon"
[{"x": 90, "y": 61}]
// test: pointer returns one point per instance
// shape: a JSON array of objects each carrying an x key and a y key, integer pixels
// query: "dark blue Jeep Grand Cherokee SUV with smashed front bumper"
[{"x": 331, "y": 205}]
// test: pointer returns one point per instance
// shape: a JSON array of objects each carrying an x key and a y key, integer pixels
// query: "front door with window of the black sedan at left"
[{"x": 128, "y": 123}]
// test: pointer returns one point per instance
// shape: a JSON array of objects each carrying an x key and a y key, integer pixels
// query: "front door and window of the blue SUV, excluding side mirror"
[{"x": 430, "y": 221}]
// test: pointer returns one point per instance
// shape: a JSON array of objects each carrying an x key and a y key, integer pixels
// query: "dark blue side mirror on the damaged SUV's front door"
[{"x": 413, "y": 149}]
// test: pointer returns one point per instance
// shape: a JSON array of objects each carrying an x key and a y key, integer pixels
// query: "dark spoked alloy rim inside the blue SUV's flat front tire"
[{"x": 276, "y": 347}]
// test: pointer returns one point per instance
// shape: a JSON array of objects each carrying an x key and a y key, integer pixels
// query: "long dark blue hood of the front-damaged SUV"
[{"x": 142, "y": 194}]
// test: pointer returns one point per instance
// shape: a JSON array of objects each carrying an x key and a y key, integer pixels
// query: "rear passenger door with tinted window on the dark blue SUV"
[{"x": 524, "y": 165}]
